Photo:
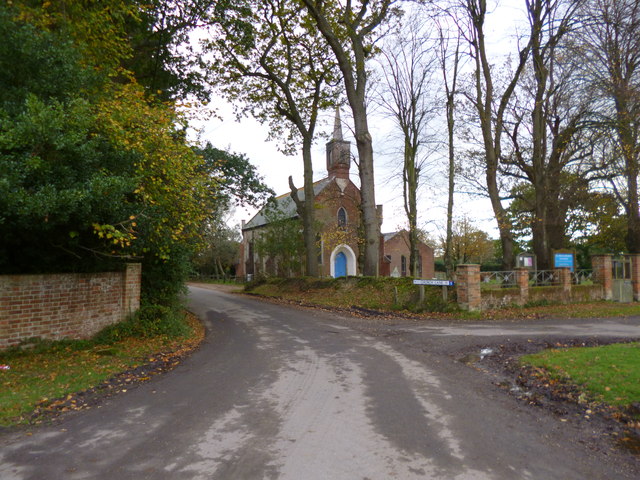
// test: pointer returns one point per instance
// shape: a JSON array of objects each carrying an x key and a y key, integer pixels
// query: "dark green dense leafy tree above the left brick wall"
[{"x": 57, "y": 175}]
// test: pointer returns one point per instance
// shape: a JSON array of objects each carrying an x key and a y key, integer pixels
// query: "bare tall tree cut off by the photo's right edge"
[{"x": 609, "y": 45}]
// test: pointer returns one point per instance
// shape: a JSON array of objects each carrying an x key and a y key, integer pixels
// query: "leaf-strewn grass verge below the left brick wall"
[{"x": 48, "y": 371}]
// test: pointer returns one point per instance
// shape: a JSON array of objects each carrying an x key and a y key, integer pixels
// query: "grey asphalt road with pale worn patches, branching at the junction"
[{"x": 279, "y": 392}]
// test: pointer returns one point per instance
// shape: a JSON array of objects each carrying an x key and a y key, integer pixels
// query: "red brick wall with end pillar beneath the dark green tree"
[{"x": 65, "y": 305}]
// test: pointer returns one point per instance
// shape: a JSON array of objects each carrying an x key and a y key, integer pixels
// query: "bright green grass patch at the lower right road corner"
[{"x": 609, "y": 373}]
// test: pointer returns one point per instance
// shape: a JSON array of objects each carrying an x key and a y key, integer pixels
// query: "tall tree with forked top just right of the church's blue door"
[{"x": 348, "y": 29}]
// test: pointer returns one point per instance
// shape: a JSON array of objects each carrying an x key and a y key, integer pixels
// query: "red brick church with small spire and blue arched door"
[{"x": 337, "y": 202}]
